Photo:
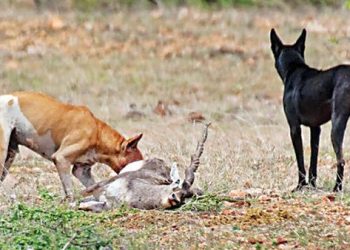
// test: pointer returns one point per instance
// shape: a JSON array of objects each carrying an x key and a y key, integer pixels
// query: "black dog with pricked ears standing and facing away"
[{"x": 312, "y": 97}]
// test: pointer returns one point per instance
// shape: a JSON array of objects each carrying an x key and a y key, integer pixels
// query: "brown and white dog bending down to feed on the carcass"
[{"x": 63, "y": 133}]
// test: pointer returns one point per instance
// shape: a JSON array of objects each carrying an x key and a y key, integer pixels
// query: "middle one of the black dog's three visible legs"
[{"x": 315, "y": 139}]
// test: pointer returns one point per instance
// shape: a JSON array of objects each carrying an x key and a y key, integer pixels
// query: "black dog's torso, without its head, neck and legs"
[{"x": 315, "y": 89}]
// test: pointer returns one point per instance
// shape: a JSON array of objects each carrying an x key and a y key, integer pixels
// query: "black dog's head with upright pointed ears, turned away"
[{"x": 287, "y": 56}]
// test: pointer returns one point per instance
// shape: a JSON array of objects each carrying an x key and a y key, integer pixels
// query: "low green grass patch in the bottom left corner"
[{"x": 52, "y": 226}]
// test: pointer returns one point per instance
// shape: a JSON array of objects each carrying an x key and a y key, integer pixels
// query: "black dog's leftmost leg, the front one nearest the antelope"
[{"x": 295, "y": 133}]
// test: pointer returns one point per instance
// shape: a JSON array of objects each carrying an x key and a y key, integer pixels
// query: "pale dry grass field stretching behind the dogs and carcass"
[{"x": 217, "y": 63}]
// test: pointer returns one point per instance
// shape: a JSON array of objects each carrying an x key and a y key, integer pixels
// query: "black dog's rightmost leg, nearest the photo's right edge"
[{"x": 338, "y": 129}]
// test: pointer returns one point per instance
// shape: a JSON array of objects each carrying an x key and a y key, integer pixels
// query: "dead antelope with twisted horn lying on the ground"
[{"x": 147, "y": 184}]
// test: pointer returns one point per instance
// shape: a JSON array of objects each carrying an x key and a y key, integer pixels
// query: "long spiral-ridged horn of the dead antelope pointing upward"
[{"x": 189, "y": 173}]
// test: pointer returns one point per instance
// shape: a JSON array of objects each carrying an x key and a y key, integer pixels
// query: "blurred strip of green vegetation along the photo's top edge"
[{"x": 115, "y": 5}]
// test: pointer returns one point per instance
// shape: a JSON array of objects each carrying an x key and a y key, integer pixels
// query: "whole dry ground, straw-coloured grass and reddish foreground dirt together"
[{"x": 146, "y": 71}]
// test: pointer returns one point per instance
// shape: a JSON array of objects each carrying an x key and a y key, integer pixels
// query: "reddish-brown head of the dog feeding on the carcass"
[{"x": 128, "y": 153}]
